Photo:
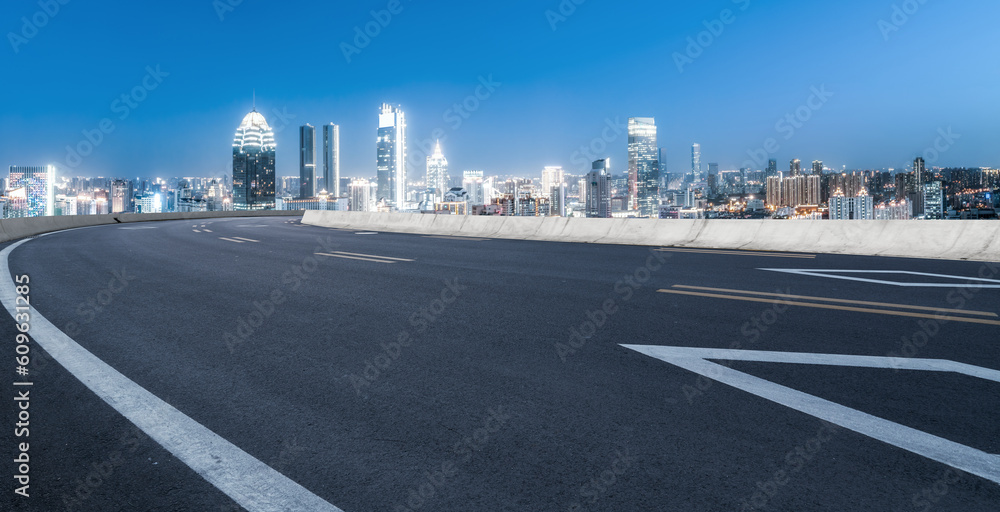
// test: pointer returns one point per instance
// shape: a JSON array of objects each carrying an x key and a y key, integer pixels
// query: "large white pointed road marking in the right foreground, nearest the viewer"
[{"x": 933, "y": 447}]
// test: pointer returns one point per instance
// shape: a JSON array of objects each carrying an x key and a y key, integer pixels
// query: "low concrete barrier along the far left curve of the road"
[{"x": 12, "y": 229}]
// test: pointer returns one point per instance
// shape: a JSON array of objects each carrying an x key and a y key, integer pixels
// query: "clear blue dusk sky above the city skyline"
[{"x": 606, "y": 61}]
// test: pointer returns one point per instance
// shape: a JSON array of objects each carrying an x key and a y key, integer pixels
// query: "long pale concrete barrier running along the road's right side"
[{"x": 955, "y": 240}]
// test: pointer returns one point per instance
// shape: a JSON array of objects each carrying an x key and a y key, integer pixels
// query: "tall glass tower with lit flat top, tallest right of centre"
[{"x": 643, "y": 166}]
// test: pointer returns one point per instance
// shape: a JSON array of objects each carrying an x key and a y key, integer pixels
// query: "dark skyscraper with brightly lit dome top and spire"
[{"x": 253, "y": 164}]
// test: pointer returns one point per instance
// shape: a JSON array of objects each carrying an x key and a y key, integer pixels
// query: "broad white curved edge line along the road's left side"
[{"x": 248, "y": 481}]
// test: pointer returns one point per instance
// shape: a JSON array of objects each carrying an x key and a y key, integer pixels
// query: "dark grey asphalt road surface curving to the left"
[{"x": 511, "y": 389}]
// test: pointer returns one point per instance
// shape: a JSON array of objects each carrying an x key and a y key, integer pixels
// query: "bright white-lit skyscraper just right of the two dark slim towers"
[{"x": 391, "y": 156}]
